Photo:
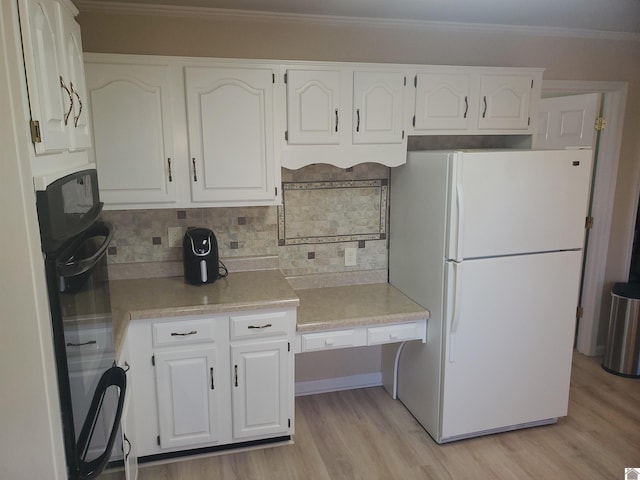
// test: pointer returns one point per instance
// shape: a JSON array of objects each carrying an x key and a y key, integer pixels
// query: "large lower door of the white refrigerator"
[{"x": 508, "y": 342}]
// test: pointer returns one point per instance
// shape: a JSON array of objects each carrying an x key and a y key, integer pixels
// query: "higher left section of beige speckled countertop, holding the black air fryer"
[{"x": 171, "y": 297}]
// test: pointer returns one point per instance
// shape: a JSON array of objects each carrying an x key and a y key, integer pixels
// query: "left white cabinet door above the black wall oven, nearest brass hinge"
[{"x": 49, "y": 102}]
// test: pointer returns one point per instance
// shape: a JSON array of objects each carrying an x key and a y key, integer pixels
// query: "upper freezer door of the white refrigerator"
[{"x": 507, "y": 203}]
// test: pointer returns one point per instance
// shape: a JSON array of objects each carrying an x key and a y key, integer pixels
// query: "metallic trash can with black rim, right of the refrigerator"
[{"x": 622, "y": 355}]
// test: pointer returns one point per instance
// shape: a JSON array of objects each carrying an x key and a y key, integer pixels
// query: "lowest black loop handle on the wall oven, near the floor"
[{"x": 117, "y": 377}]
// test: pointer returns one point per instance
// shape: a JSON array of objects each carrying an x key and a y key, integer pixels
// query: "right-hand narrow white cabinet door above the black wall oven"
[{"x": 79, "y": 136}]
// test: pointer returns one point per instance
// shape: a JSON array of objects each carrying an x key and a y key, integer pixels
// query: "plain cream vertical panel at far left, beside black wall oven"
[{"x": 30, "y": 431}]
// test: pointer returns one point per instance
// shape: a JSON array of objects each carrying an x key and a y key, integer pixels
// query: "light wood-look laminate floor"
[{"x": 364, "y": 434}]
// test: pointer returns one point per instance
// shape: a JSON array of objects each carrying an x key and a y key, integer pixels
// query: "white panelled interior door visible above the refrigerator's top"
[{"x": 567, "y": 121}]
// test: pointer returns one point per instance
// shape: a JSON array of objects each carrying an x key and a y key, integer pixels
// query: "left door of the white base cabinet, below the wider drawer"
[{"x": 187, "y": 397}]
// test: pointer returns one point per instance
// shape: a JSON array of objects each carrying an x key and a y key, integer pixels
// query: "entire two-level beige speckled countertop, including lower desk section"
[{"x": 318, "y": 308}]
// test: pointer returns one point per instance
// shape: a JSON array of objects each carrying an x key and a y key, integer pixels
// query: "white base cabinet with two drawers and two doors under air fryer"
[{"x": 205, "y": 381}]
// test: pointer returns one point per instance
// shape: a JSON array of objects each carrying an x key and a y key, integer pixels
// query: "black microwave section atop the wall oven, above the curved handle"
[{"x": 67, "y": 207}]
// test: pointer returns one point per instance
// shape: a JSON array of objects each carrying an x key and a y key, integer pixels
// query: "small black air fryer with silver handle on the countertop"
[{"x": 200, "y": 256}]
